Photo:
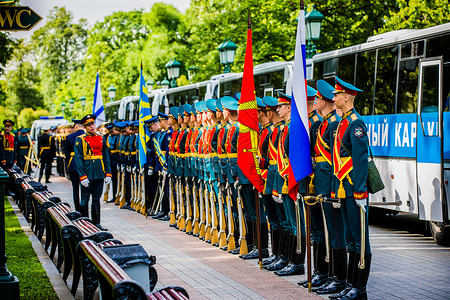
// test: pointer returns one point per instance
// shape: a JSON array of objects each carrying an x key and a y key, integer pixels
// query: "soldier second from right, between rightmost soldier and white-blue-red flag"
[{"x": 323, "y": 143}]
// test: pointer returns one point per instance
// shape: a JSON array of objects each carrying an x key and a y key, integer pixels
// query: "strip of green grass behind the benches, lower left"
[{"x": 23, "y": 262}]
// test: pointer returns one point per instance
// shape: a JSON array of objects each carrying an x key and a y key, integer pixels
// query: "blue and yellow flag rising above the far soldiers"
[{"x": 144, "y": 114}]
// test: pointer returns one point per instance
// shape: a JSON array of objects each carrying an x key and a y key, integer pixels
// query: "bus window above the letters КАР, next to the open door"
[{"x": 407, "y": 86}]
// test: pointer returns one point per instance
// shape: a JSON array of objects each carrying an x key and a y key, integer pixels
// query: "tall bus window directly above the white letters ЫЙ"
[{"x": 386, "y": 81}]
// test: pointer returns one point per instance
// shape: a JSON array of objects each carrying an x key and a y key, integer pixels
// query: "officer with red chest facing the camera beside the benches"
[{"x": 92, "y": 161}]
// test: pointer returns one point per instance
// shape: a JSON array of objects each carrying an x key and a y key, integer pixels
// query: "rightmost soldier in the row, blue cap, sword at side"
[{"x": 350, "y": 167}]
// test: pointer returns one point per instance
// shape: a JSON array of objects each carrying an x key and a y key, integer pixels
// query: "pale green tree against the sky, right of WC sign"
[{"x": 60, "y": 45}]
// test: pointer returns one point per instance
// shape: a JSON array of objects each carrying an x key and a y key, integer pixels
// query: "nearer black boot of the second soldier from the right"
[{"x": 339, "y": 271}]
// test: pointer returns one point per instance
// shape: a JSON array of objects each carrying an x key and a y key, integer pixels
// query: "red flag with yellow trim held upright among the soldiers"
[{"x": 248, "y": 119}]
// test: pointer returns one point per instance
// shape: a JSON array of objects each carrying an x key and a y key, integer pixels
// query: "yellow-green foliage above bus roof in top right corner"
[{"x": 417, "y": 14}]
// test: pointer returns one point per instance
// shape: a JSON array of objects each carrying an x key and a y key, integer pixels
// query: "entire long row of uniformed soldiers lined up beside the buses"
[{"x": 191, "y": 178}]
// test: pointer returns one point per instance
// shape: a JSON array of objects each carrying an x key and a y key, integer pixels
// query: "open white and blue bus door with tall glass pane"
[{"x": 429, "y": 140}]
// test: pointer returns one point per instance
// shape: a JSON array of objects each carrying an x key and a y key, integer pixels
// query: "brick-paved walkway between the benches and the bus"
[{"x": 406, "y": 264}]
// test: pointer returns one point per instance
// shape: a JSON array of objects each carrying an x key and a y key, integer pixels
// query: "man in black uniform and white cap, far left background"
[{"x": 46, "y": 153}]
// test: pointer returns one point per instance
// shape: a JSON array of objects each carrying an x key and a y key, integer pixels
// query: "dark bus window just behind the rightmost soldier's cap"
[{"x": 365, "y": 73}]
